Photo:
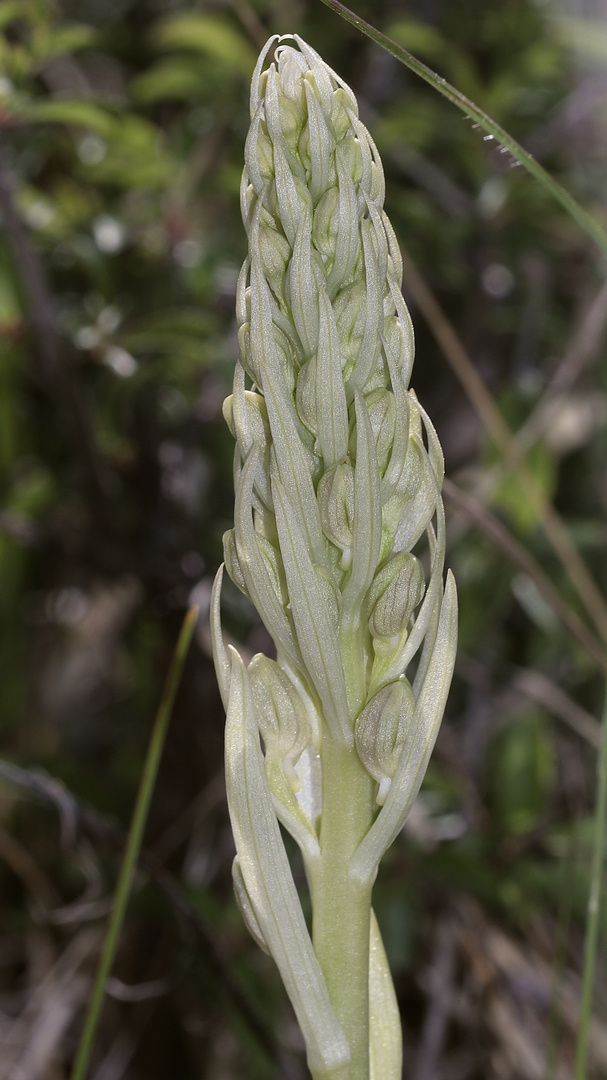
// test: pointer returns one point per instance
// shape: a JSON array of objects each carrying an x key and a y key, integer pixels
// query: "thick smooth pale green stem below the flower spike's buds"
[{"x": 342, "y": 909}]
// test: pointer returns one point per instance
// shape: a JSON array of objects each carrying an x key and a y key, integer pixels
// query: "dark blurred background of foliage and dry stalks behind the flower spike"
[{"x": 122, "y": 147}]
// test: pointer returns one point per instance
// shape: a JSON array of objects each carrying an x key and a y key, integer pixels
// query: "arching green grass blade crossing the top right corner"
[{"x": 586, "y": 222}]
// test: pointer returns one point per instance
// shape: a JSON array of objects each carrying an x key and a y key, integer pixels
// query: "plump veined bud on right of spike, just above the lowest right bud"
[{"x": 396, "y": 592}]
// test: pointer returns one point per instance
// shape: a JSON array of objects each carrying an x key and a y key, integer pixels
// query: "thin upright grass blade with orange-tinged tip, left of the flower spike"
[{"x": 134, "y": 843}]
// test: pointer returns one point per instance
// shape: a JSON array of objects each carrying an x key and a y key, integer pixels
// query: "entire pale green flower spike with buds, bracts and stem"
[{"x": 339, "y": 474}]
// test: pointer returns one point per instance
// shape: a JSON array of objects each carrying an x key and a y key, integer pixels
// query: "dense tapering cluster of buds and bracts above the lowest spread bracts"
[{"x": 328, "y": 426}]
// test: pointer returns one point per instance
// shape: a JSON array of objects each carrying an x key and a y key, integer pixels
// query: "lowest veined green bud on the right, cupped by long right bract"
[{"x": 382, "y": 731}]
